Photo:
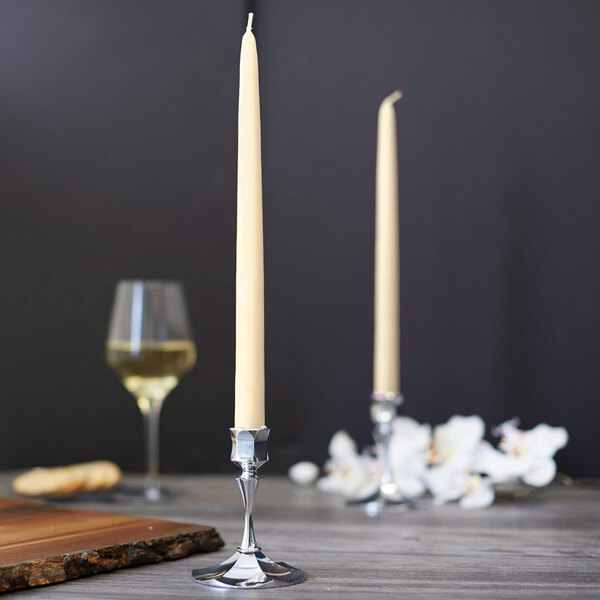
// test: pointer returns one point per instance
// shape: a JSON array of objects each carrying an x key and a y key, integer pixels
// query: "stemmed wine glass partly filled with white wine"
[{"x": 150, "y": 347}]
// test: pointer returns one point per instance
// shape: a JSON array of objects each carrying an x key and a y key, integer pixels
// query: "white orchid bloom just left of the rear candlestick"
[{"x": 348, "y": 472}]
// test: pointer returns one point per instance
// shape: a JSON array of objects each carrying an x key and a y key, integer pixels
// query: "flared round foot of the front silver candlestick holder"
[{"x": 249, "y": 570}]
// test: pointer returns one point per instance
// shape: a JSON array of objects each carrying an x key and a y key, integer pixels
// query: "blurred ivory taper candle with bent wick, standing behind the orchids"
[{"x": 386, "y": 356}]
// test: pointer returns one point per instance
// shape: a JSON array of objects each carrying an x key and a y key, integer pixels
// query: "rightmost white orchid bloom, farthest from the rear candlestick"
[{"x": 527, "y": 454}]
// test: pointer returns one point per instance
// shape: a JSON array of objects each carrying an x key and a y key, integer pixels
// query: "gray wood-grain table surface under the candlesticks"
[{"x": 542, "y": 547}]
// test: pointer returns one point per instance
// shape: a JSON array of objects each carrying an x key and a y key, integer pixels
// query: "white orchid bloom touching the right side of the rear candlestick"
[{"x": 409, "y": 446}]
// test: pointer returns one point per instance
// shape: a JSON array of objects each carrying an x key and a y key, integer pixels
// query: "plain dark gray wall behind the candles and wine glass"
[{"x": 118, "y": 160}]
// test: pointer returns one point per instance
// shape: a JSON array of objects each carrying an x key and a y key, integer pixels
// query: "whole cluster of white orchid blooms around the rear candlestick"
[{"x": 454, "y": 464}]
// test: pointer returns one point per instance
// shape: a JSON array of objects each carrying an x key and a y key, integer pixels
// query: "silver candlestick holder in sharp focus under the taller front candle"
[{"x": 249, "y": 567}]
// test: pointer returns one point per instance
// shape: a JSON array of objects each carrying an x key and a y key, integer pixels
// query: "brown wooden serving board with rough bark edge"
[{"x": 41, "y": 544}]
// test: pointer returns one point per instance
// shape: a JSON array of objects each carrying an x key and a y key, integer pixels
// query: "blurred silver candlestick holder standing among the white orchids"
[{"x": 384, "y": 408}]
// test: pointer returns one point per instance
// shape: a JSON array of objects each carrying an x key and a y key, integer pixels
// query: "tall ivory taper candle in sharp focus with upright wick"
[{"x": 249, "y": 349}]
